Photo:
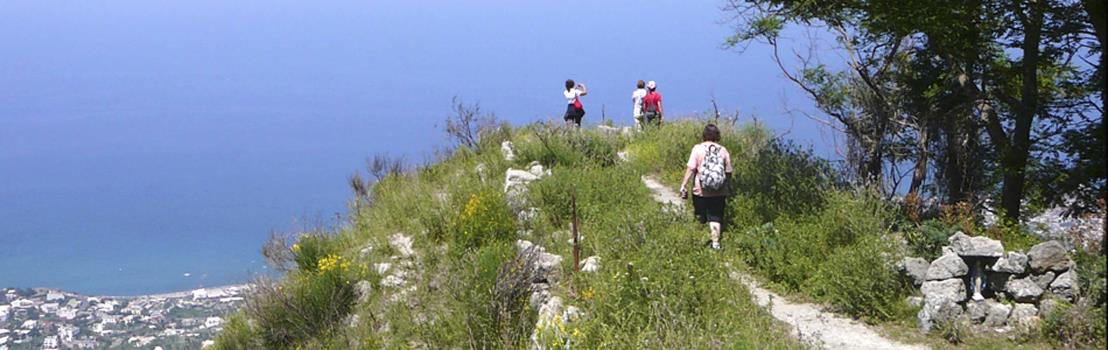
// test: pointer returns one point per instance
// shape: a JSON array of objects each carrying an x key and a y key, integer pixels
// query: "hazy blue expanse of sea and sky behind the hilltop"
[{"x": 141, "y": 141}]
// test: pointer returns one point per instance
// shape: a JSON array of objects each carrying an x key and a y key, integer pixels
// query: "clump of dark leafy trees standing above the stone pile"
[{"x": 949, "y": 74}]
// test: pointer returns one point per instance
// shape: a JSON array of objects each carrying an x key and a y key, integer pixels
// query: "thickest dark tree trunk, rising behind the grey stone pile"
[{"x": 1015, "y": 160}]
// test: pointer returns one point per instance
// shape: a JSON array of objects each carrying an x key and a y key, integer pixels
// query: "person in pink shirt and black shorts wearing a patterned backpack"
[{"x": 711, "y": 167}]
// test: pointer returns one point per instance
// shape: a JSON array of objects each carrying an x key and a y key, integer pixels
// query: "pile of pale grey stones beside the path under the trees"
[{"x": 977, "y": 281}]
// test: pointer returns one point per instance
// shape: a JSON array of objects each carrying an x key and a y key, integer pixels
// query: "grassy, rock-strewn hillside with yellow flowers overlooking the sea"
[{"x": 463, "y": 284}]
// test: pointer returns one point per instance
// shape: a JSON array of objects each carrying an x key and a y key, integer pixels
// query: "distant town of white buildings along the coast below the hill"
[{"x": 53, "y": 320}]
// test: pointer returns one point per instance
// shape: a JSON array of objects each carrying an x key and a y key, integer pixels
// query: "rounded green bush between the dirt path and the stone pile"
[{"x": 840, "y": 255}]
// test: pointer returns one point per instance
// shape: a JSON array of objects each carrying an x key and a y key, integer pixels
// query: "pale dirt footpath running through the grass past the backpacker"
[{"x": 809, "y": 324}]
